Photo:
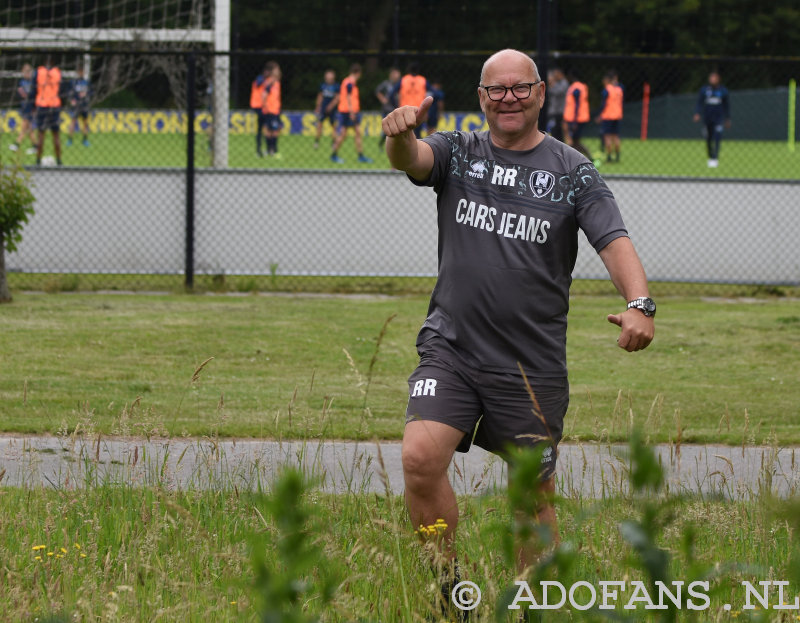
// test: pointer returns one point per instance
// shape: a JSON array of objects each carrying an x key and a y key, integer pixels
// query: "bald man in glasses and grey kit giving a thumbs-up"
[{"x": 510, "y": 202}]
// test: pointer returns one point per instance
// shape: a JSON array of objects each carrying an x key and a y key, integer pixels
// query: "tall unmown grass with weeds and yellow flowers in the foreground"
[{"x": 144, "y": 553}]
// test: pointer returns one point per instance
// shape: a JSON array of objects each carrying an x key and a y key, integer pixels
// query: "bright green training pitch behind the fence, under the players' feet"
[{"x": 681, "y": 158}]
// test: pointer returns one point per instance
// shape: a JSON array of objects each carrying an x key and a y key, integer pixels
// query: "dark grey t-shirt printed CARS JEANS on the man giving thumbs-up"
[{"x": 508, "y": 239}]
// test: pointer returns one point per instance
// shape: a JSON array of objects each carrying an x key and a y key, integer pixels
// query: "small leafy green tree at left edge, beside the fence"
[{"x": 16, "y": 205}]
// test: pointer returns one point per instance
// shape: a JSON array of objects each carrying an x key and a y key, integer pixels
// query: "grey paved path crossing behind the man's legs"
[{"x": 585, "y": 470}]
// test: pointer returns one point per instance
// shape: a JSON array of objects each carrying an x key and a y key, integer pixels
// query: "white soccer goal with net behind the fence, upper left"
[{"x": 65, "y": 31}]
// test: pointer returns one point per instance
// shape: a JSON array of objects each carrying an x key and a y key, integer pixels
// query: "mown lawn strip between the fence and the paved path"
[{"x": 719, "y": 370}]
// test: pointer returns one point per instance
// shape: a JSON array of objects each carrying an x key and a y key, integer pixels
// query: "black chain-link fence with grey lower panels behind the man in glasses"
[{"x": 149, "y": 196}]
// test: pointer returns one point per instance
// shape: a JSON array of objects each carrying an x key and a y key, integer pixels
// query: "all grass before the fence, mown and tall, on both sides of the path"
[{"x": 298, "y": 367}]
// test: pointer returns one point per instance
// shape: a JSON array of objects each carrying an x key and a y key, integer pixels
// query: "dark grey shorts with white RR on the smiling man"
[{"x": 494, "y": 410}]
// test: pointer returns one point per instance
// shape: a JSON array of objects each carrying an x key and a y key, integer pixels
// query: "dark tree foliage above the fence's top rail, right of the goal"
[{"x": 691, "y": 27}]
